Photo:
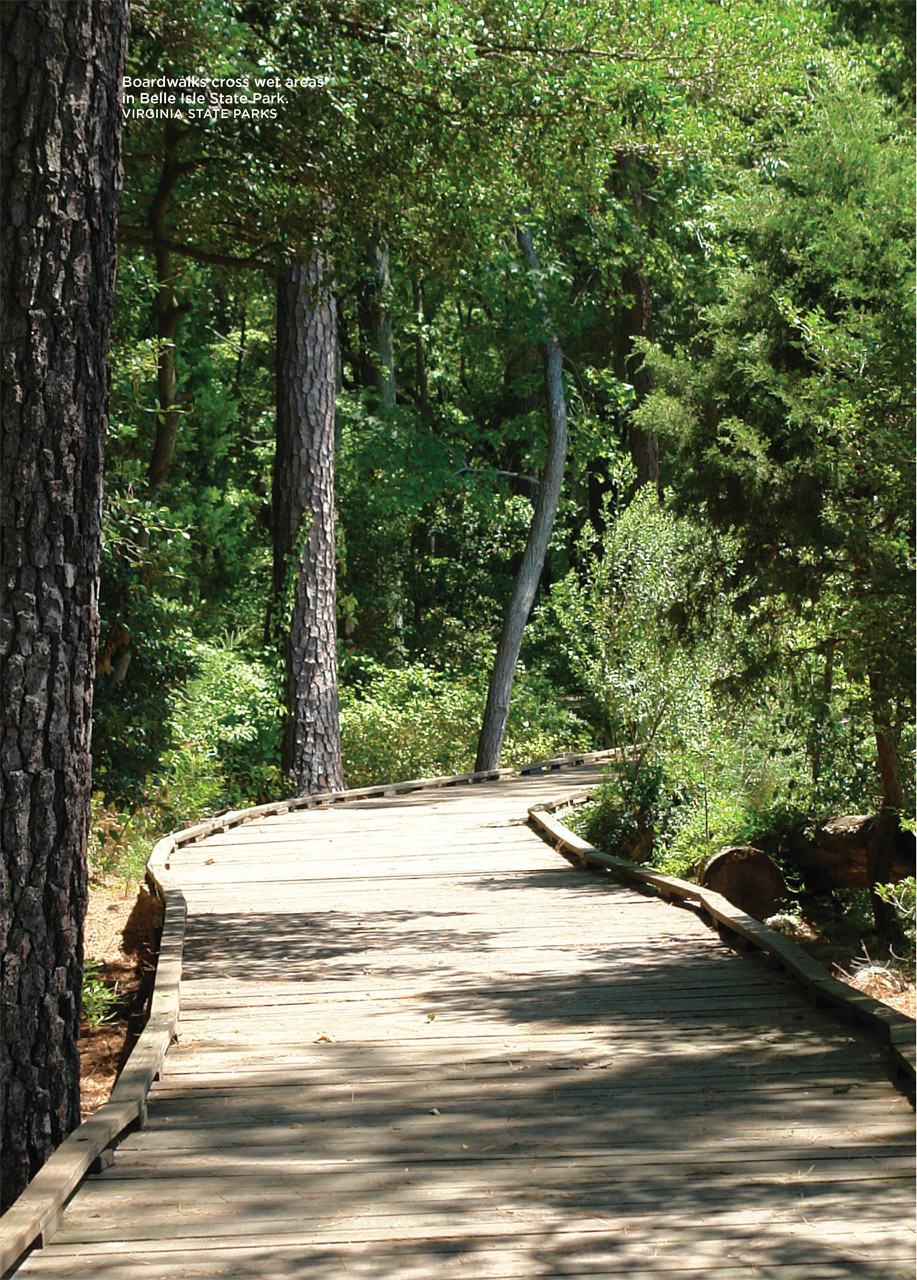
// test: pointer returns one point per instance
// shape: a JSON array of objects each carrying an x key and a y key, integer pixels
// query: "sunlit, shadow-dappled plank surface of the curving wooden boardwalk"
[{"x": 418, "y": 1044}]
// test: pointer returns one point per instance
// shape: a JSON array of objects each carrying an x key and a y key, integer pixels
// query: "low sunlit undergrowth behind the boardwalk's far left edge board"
[{"x": 223, "y": 734}]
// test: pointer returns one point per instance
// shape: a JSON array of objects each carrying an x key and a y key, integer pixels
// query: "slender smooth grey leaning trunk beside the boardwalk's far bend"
[{"x": 494, "y": 728}]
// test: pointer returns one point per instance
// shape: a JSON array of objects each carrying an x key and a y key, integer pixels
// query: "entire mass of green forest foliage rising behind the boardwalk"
[{"x": 719, "y": 202}]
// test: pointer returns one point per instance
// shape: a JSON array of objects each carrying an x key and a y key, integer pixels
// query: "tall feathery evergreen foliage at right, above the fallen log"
[{"x": 790, "y": 419}]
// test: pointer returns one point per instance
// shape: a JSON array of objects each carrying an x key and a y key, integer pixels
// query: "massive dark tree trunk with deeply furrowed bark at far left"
[{"x": 62, "y": 70}]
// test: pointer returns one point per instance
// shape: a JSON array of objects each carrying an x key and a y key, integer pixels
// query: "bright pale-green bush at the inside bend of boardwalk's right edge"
[{"x": 708, "y": 764}]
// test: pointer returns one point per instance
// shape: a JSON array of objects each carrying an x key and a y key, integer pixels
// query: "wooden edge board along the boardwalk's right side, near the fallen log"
[{"x": 895, "y": 1030}]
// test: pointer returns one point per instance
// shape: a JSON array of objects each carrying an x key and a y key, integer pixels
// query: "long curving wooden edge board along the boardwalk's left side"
[{"x": 35, "y": 1217}]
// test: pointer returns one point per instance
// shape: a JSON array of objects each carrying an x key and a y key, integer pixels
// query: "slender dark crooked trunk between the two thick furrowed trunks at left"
[{"x": 168, "y": 312}]
